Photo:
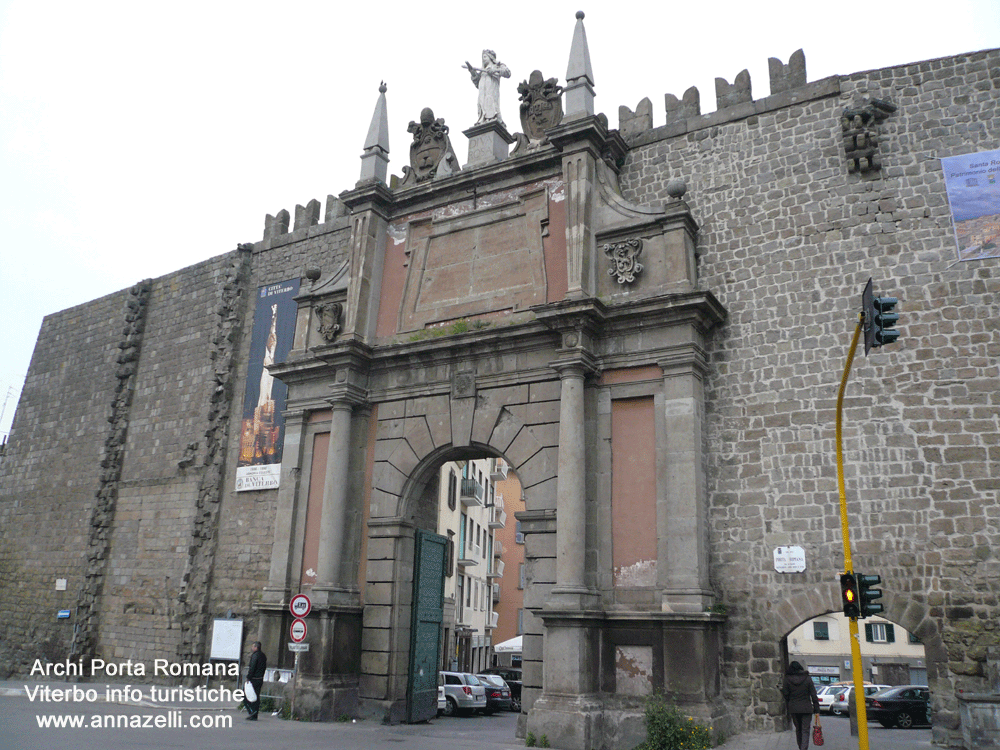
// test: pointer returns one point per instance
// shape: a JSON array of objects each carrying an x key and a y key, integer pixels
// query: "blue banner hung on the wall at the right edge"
[{"x": 973, "y": 183}]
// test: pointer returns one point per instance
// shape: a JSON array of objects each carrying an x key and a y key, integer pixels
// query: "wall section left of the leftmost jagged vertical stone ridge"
[{"x": 61, "y": 425}]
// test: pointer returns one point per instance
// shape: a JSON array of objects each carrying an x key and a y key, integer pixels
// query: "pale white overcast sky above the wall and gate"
[{"x": 137, "y": 138}]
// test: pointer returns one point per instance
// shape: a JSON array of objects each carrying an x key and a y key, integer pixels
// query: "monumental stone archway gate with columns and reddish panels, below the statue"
[{"x": 547, "y": 321}]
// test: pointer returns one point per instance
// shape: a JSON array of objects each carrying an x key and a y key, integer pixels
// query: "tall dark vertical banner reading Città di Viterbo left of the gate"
[{"x": 262, "y": 429}]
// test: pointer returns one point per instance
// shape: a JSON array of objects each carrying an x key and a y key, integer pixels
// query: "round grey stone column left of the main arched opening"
[{"x": 329, "y": 586}]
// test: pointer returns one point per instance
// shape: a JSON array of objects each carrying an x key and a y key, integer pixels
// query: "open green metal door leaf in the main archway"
[{"x": 425, "y": 632}]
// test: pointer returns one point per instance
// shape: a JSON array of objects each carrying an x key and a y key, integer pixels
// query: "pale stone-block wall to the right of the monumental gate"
[{"x": 789, "y": 236}]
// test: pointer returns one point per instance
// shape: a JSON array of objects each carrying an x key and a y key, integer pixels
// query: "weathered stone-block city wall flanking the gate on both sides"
[{"x": 791, "y": 227}]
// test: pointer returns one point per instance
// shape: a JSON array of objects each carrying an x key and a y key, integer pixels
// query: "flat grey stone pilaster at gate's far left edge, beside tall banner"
[{"x": 283, "y": 547}]
